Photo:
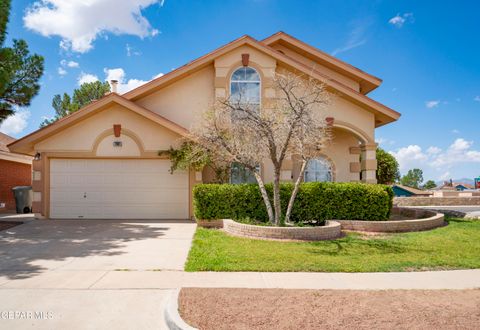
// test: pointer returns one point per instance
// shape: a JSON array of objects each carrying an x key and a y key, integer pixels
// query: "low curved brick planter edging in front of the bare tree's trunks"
[{"x": 331, "y": 230}]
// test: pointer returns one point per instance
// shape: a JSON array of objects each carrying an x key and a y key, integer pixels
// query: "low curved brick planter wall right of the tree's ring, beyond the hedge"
[{"x": 423, "y": 220}]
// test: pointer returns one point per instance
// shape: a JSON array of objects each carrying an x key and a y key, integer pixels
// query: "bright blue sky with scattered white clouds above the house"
[{"x": 427, "y": 55}]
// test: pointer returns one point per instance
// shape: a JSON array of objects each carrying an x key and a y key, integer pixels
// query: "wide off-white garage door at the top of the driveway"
[{"x": 117, "y": 189}]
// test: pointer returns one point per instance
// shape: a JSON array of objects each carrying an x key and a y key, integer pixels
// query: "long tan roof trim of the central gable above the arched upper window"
[{"x": 383, "y": 114}]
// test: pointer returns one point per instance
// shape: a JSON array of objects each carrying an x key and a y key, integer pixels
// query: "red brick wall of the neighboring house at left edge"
[{"x": 13, "y": 174}]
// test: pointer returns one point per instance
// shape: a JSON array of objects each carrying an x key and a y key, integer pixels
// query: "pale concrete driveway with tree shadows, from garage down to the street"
[{"x": 53, "y": 267}]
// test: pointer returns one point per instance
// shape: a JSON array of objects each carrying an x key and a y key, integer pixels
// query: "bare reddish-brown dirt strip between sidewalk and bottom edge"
[{"x": 329, "y": 309}]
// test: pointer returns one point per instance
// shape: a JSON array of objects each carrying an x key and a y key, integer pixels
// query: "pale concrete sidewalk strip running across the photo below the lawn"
[{"x": 92, "y": 280}]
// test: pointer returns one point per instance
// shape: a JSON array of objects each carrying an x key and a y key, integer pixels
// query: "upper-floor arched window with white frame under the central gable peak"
[{"x": 245, "y": 86}]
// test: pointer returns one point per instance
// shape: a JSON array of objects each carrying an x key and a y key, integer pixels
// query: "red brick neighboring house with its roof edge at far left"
[{"x": 15, "y": 170}]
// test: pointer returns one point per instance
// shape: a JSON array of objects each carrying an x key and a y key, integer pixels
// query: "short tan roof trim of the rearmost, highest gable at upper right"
[{"x": 367, "y": 81}]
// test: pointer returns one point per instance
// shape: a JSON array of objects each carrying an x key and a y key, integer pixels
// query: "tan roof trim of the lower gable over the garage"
[{"x": 25, "y": 144}]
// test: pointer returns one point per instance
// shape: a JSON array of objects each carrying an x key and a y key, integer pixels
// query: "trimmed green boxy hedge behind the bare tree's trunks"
[{"x": 315, "y": 201}]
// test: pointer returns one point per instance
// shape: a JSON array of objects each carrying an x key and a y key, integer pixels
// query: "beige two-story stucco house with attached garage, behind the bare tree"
[{"x": 102, "y": 161}]
